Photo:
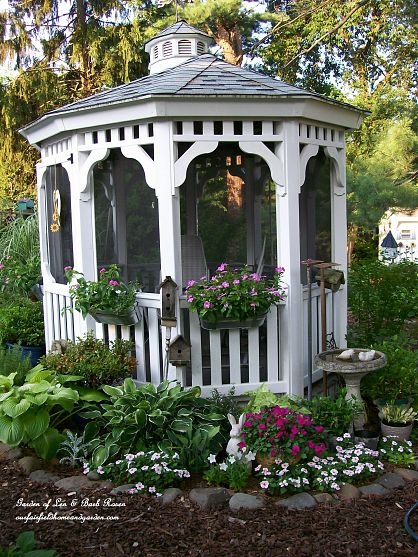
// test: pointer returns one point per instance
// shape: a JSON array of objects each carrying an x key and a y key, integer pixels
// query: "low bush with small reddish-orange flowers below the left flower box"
[{"x": 95, "y": 361}]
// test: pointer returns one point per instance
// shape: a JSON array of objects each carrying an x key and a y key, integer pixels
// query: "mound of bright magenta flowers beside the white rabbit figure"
[{"x": 284, "y": 433}]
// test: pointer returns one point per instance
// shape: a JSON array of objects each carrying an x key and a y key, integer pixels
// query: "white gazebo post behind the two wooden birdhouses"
[{"x": 169, "y": 216}]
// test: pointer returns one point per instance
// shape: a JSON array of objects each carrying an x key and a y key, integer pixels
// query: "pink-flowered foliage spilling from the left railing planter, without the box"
[{"x": 108, "y": 293}]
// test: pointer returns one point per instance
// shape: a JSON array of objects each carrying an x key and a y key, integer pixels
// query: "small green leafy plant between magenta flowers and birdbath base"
[{"x": 335, "y": 415}]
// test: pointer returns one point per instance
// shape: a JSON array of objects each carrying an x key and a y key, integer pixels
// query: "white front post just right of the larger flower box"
[{"x": 288, "y": 256}]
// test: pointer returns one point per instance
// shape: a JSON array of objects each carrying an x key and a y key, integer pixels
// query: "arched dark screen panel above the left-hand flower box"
[{"x": 126, "y": 220}]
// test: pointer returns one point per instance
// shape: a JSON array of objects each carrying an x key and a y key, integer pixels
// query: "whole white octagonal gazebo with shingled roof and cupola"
[{"x": 198, "y": 163}]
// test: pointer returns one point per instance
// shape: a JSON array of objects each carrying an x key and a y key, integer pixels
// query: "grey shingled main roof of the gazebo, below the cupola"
[{"x": 205, "y": 76}]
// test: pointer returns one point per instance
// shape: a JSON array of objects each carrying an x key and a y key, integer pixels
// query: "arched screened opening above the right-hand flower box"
[{"x": 228, "y": 203}]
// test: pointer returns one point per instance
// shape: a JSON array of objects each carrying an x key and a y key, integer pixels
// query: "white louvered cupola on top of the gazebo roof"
[{"x": 175, "y": 45}]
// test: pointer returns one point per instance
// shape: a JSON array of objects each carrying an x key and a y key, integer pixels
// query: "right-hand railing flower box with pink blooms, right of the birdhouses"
[{"x": 234, "y": 298}]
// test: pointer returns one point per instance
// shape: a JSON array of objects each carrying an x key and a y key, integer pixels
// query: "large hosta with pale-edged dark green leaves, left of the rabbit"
[{"x": 167, "y": 416}]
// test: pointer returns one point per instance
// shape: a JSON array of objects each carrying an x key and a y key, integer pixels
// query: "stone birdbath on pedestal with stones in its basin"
[{"x": 352, "y": 370}]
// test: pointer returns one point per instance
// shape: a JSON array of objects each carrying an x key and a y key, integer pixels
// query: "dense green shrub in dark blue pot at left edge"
[{"x": 22, "y": 323}]
